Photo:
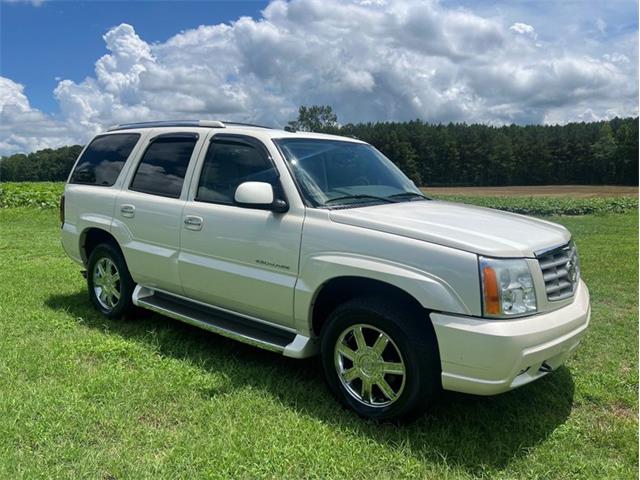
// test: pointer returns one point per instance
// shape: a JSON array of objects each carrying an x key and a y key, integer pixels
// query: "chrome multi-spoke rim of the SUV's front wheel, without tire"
[{"x": 369, "y": 365}]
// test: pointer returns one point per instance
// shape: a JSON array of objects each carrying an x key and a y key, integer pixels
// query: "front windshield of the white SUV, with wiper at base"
[{"x": 334, "y": 173}]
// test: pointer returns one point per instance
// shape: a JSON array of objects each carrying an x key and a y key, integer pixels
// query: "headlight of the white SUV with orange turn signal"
[{"x": 507, "y": 288}]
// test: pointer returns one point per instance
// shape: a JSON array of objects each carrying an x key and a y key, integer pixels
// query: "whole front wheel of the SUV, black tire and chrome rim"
[{"x": 381, "y": 359}]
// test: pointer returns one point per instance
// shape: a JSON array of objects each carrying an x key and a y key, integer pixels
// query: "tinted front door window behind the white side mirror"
[{"x": 227, "y": 165}]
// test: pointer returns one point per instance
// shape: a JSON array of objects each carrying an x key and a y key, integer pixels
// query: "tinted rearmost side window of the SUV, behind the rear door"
[{"x": 101, "y": 162}]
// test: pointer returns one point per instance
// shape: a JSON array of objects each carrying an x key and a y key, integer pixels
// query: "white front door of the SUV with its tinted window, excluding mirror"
[{"x": 240, "y": 259}]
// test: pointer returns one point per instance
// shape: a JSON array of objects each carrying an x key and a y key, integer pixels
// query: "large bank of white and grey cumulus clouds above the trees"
[{"x": 371, "y": 60}]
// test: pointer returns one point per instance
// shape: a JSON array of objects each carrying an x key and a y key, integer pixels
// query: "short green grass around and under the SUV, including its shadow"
[{"x": 148, "y": 397}]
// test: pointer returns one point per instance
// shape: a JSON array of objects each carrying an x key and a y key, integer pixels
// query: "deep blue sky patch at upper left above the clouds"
[{"x": 73, "y": 33}]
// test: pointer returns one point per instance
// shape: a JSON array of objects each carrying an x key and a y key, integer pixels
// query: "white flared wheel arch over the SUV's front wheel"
[{"x": 430, "y": 291}]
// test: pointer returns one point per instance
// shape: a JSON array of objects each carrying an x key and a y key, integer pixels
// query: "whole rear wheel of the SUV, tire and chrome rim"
[{"x": 109, "y": 282}]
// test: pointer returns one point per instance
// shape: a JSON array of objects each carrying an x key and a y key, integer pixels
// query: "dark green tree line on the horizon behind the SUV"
[{"x": 457, "y": 154}]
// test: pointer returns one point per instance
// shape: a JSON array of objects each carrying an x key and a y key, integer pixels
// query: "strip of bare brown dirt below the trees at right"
[{"x": 577, "y": 191}]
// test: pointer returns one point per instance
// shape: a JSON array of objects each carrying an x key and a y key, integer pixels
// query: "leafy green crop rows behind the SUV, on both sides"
[{"x": 47, "y": 195}]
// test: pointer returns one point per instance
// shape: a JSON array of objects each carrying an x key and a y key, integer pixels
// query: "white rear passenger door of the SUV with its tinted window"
[{"x": 148, "y": 212}]
